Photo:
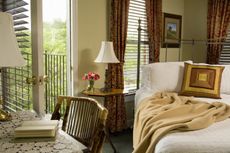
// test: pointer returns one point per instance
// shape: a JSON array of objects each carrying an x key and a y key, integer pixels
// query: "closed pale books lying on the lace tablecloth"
[{"x": 37, "y": 128}]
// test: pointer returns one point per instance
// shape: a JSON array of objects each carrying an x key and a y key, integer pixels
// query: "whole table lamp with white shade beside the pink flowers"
[{"x": 106, "y": 55}]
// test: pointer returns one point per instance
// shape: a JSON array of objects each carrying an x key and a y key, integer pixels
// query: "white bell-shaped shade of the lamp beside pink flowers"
[{"x": 106, "y": 54}]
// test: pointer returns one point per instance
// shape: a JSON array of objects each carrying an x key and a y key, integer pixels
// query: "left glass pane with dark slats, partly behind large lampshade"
[{"x": 16, "y": 93}]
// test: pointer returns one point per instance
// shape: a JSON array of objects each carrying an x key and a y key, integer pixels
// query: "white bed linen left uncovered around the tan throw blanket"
[{"x": 214, "y": 139}]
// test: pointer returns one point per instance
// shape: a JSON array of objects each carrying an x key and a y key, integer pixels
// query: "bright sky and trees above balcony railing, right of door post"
[{"x": 54, "y": 18}]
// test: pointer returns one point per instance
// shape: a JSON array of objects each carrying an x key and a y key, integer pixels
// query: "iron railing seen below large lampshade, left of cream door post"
[{"x": 15, "y": 92}]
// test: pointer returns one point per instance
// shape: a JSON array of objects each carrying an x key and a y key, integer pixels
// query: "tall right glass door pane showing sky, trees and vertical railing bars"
[{"x": 55, "y": 31}]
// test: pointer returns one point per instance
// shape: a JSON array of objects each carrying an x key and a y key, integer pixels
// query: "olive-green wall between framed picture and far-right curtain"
[{"x": 195, "y": 27}]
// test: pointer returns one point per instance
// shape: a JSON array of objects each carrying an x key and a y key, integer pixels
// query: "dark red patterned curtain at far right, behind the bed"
[{"x": 218, "y": 22}]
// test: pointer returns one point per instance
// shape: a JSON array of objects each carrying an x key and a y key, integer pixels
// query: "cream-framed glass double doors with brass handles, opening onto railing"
[{"x": 41, "y": 28}]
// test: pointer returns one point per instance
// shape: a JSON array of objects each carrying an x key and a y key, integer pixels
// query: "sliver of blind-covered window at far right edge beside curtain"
[{"x": 225, "y": 54}]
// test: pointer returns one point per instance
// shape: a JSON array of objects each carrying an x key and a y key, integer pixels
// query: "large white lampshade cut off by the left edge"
[{"x": 10, "y": 56}]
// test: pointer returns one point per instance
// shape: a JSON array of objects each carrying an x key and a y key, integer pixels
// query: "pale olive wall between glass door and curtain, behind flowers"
[{"x": 92, "y": 29}]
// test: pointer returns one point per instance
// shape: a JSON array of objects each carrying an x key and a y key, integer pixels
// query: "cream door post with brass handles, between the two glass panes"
[{"x": 37, "y": 56}]
